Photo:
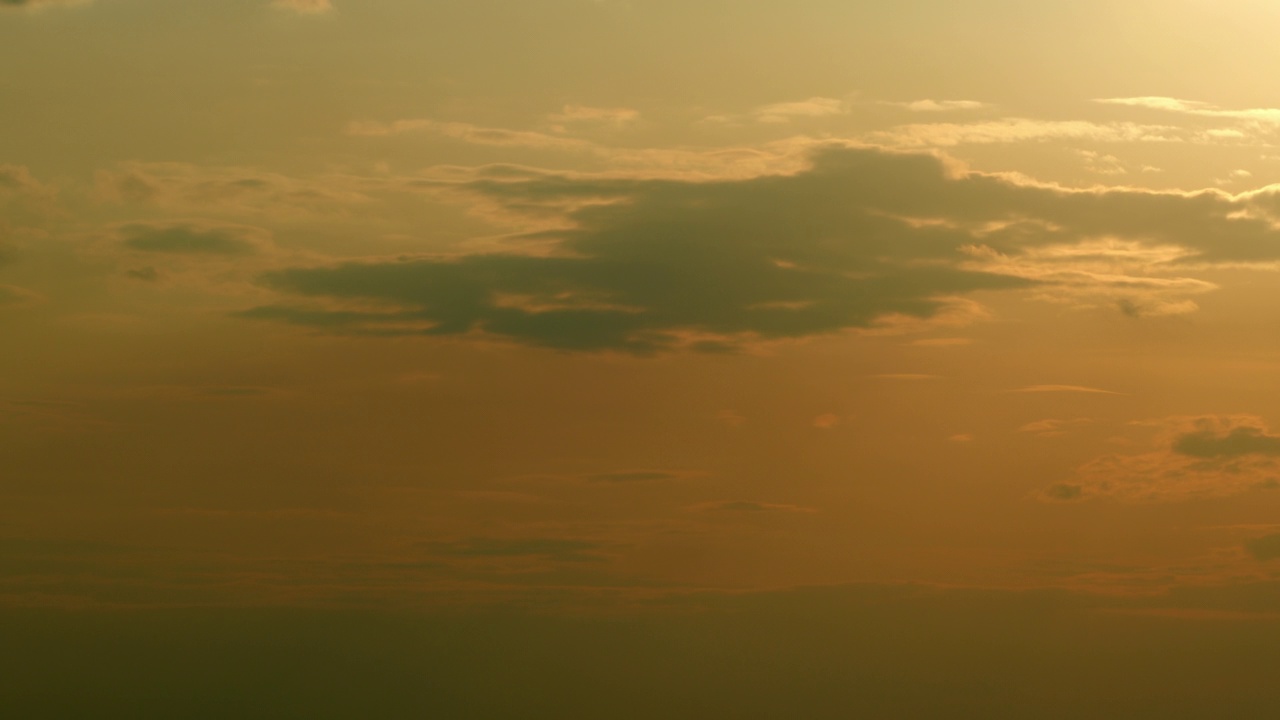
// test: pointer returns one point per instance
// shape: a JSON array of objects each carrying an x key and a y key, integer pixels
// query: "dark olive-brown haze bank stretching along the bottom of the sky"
[{"x": 820, "y": 654}]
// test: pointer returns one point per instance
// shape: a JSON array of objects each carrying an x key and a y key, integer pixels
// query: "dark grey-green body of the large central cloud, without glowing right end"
[{"x": 669, "y": 263}]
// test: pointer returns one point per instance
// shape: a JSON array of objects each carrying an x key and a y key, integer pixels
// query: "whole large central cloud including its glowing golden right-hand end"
[{"x": 854, "y": 241}]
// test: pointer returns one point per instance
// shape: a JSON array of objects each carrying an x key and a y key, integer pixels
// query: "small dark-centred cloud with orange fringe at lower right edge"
[{"x": 1195, "y": 458}]
